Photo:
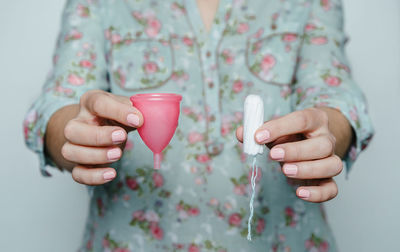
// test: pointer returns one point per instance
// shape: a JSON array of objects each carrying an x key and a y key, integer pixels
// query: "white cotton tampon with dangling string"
[{"x": 253, "y": 119}]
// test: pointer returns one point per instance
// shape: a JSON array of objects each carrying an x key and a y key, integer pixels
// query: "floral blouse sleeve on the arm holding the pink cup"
[{"x": 79, "y": 65}]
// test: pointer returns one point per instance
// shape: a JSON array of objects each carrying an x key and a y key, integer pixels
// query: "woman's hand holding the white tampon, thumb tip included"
[{"x": 305, "y": 143}]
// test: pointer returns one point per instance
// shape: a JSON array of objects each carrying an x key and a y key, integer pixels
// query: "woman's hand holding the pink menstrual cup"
[{"x": 94, "y": 137}]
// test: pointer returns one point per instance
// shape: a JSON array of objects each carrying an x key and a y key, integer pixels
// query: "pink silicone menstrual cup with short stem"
[{"x": 161, "y": 114}]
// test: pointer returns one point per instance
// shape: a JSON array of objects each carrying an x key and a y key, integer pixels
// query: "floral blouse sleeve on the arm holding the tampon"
[{"x": 323, "y": 77}]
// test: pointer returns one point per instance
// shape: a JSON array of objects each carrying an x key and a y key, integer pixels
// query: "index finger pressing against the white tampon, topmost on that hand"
[{"x": 304, "y": 121}]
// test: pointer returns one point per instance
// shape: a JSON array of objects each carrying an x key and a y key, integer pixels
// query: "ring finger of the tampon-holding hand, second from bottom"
[{"x": 317, "y": 169}]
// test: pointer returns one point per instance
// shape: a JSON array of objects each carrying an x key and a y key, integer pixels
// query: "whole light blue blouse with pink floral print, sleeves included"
[{"x": 290, "y": 52}]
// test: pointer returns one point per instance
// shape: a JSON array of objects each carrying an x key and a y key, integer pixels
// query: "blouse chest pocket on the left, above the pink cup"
[{"x": 138, "y": 64}]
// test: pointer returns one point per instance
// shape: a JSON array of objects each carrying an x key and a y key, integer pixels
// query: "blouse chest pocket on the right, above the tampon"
[{"x": 272, "y": 59}]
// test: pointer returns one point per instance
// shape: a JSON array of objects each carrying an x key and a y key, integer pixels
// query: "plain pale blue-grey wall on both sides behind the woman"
[{"x": 42, "y": 214}]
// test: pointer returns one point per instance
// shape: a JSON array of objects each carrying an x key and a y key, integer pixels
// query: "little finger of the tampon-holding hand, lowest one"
[{"x": 326, "y": 190}]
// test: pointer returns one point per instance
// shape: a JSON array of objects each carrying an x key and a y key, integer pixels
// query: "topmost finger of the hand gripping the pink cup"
[{"x": 104, "y": 105}]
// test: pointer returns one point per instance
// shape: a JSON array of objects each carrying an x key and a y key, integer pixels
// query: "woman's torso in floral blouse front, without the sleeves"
[{"x": 199, "y": 199}]
